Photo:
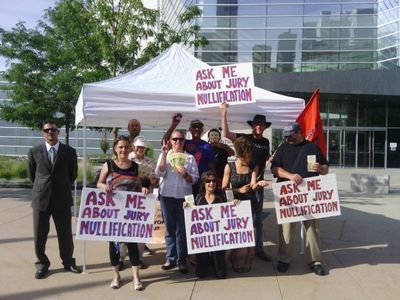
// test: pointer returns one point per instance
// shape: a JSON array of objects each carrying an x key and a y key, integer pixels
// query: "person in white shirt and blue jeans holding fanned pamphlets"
[{"x": 178, "y": 172}]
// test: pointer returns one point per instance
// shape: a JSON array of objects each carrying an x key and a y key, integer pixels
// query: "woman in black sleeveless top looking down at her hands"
[{"x": 242, "y": 177}]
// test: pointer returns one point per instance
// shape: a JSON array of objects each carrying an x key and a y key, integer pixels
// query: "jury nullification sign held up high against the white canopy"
[{"x": 233, "y": 84}]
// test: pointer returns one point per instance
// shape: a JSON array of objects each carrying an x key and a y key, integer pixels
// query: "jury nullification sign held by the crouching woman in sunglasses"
[{"x": 219, "y": 227}]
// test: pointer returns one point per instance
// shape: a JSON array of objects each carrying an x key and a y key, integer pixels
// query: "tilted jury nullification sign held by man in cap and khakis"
[{"x": 316, "y": 197}]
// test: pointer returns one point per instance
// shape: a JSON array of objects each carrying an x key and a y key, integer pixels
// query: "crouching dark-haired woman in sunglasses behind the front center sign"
[{"x": 210, "y": 194}]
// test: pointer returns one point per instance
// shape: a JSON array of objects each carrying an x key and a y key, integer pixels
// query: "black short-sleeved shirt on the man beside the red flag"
[{"x": 293, "y": 158}]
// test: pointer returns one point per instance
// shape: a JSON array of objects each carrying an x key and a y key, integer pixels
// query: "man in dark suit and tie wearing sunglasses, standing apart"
[{"x": 52, "y": 170}]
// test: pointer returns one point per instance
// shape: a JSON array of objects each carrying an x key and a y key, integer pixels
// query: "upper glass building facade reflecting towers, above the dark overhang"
[{"x": 297, "y": 35}]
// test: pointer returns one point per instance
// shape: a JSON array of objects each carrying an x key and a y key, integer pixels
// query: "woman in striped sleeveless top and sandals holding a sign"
[{"x": 122, "y": 174}]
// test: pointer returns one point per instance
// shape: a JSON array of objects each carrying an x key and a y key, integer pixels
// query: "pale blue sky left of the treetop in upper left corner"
[{"x": 13, "y": 11}]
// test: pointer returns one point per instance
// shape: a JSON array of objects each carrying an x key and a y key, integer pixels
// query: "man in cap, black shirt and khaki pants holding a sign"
[{"x": 290, "y": 163}]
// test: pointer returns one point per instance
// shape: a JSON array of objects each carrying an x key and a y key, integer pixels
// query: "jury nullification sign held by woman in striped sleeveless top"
[{"x": 118, "y": 216}]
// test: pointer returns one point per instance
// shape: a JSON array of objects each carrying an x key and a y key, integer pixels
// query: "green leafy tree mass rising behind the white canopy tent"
[{"x": 80, "y": 41}]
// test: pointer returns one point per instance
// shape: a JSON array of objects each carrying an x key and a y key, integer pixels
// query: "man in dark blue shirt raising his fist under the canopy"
[{"x": 201, "y": 150}]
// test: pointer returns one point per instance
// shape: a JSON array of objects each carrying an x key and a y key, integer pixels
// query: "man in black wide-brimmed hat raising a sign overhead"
[{"x": 260, "y": 154}]
